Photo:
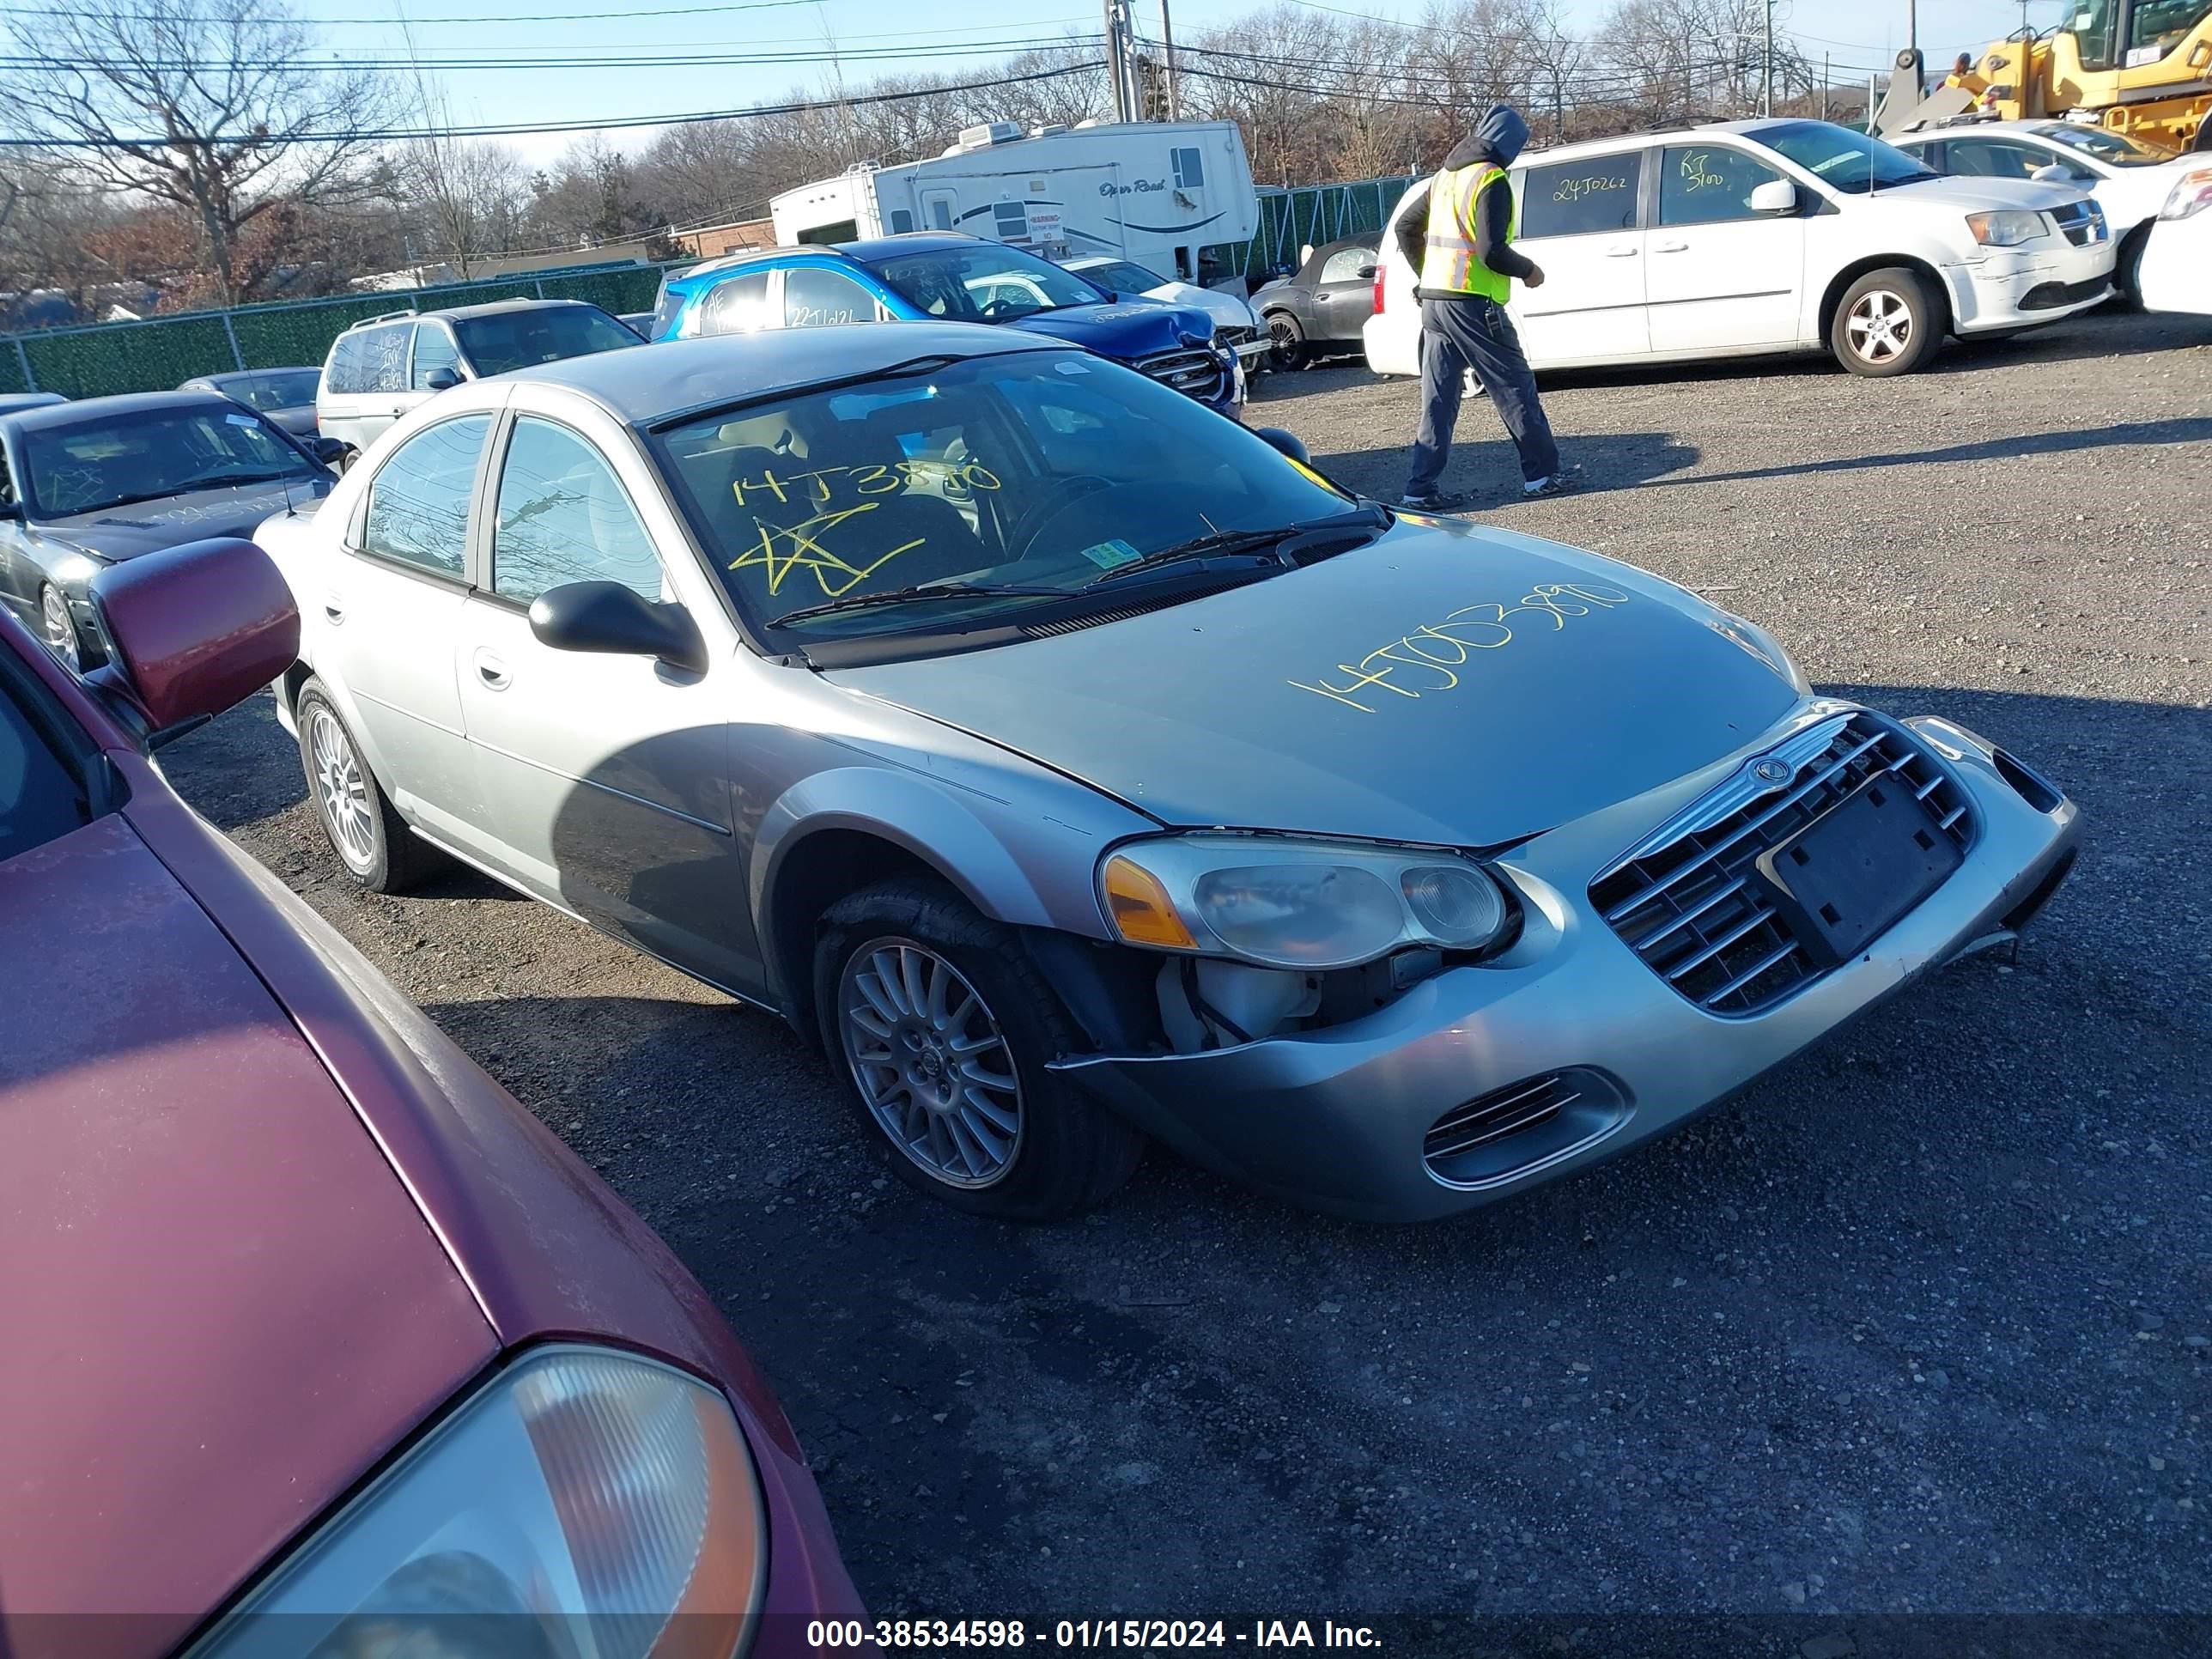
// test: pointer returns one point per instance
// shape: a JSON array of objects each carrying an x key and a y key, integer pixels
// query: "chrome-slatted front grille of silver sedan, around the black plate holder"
[{"x": 1695, "y": 906}]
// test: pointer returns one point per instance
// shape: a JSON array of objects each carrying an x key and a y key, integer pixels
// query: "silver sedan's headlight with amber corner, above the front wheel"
[{"x": 1295, "y": 904}]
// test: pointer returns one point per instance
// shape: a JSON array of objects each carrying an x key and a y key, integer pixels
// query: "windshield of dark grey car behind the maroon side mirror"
[{"x": 152, "y": 455}]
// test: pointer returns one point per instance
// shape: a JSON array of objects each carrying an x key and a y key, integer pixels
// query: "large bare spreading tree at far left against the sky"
[{"x": 205, "y": 105}]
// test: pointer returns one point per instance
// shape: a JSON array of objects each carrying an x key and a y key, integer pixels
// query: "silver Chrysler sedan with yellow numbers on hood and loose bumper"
[{"x": 1078, "y": 766}]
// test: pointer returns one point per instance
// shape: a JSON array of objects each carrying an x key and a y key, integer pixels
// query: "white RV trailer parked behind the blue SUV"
[{"x": 1147, "y": 191}]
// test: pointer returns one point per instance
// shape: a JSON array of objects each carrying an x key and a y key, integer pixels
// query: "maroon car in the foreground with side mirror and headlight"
[{"x": 311, "y": 1337}]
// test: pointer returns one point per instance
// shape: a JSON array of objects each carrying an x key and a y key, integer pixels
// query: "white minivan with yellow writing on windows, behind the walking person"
[{"x": 1784, "y": 236}]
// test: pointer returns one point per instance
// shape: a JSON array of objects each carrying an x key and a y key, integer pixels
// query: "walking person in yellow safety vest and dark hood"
[{"x": 1461, "y": 242}]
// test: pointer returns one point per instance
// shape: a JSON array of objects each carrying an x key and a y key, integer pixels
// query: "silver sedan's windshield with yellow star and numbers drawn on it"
[{"x": 1043, "y": 470}]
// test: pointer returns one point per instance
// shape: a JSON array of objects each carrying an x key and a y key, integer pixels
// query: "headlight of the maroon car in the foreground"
[{"x": 581, "y": 1503}]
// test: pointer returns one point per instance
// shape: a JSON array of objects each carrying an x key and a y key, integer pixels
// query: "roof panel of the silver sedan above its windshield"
[{"x": 674, "y": 377}]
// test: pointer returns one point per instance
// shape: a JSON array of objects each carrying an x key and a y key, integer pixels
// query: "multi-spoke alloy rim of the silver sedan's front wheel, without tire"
[{"x": 930, "y": 1063}]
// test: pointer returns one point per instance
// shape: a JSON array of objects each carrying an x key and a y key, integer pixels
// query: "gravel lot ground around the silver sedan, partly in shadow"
[{"x": 1923, "y": 1324}]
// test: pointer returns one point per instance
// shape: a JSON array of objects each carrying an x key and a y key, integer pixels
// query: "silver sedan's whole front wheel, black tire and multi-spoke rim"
[{"x": 941, "y": 1032}]
